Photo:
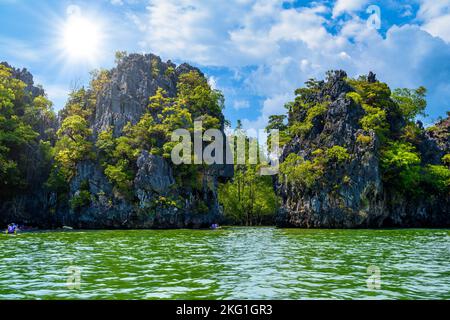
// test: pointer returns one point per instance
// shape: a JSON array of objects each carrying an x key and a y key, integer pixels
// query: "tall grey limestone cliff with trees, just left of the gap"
[{"x": 159, "y": 194}]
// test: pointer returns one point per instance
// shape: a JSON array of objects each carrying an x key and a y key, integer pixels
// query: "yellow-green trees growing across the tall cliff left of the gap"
[{"x": 117, "y": 155}]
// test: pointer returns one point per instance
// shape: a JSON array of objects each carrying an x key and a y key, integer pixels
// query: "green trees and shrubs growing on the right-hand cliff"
[{"x": 391, "y": 115}]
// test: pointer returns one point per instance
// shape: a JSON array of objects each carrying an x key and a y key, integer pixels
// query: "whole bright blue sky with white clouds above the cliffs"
[{"x": 256, "y": 51}]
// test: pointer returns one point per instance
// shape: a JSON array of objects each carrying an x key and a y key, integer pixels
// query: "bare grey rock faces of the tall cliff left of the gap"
[{"x": 123, "y": 100}]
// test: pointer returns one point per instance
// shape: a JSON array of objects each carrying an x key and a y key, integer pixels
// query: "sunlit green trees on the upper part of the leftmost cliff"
[{"x": 25, "y": 134}]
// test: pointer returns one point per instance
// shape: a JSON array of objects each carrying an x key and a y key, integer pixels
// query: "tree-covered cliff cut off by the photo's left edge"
[{"x": 27, "y": 131}]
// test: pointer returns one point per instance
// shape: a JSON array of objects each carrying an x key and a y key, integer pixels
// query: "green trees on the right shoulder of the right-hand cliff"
[{"x": 392, "y": 116}]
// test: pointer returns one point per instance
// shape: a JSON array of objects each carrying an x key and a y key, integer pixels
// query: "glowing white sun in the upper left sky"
[{"x": 81, "y": 38}]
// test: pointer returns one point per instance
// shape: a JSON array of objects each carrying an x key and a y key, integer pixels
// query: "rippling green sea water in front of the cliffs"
[{"x": 230, "y": 263}]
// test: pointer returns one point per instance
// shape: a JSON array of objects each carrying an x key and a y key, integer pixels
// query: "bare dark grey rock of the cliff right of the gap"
[{"x": 353, "y": 194}]
